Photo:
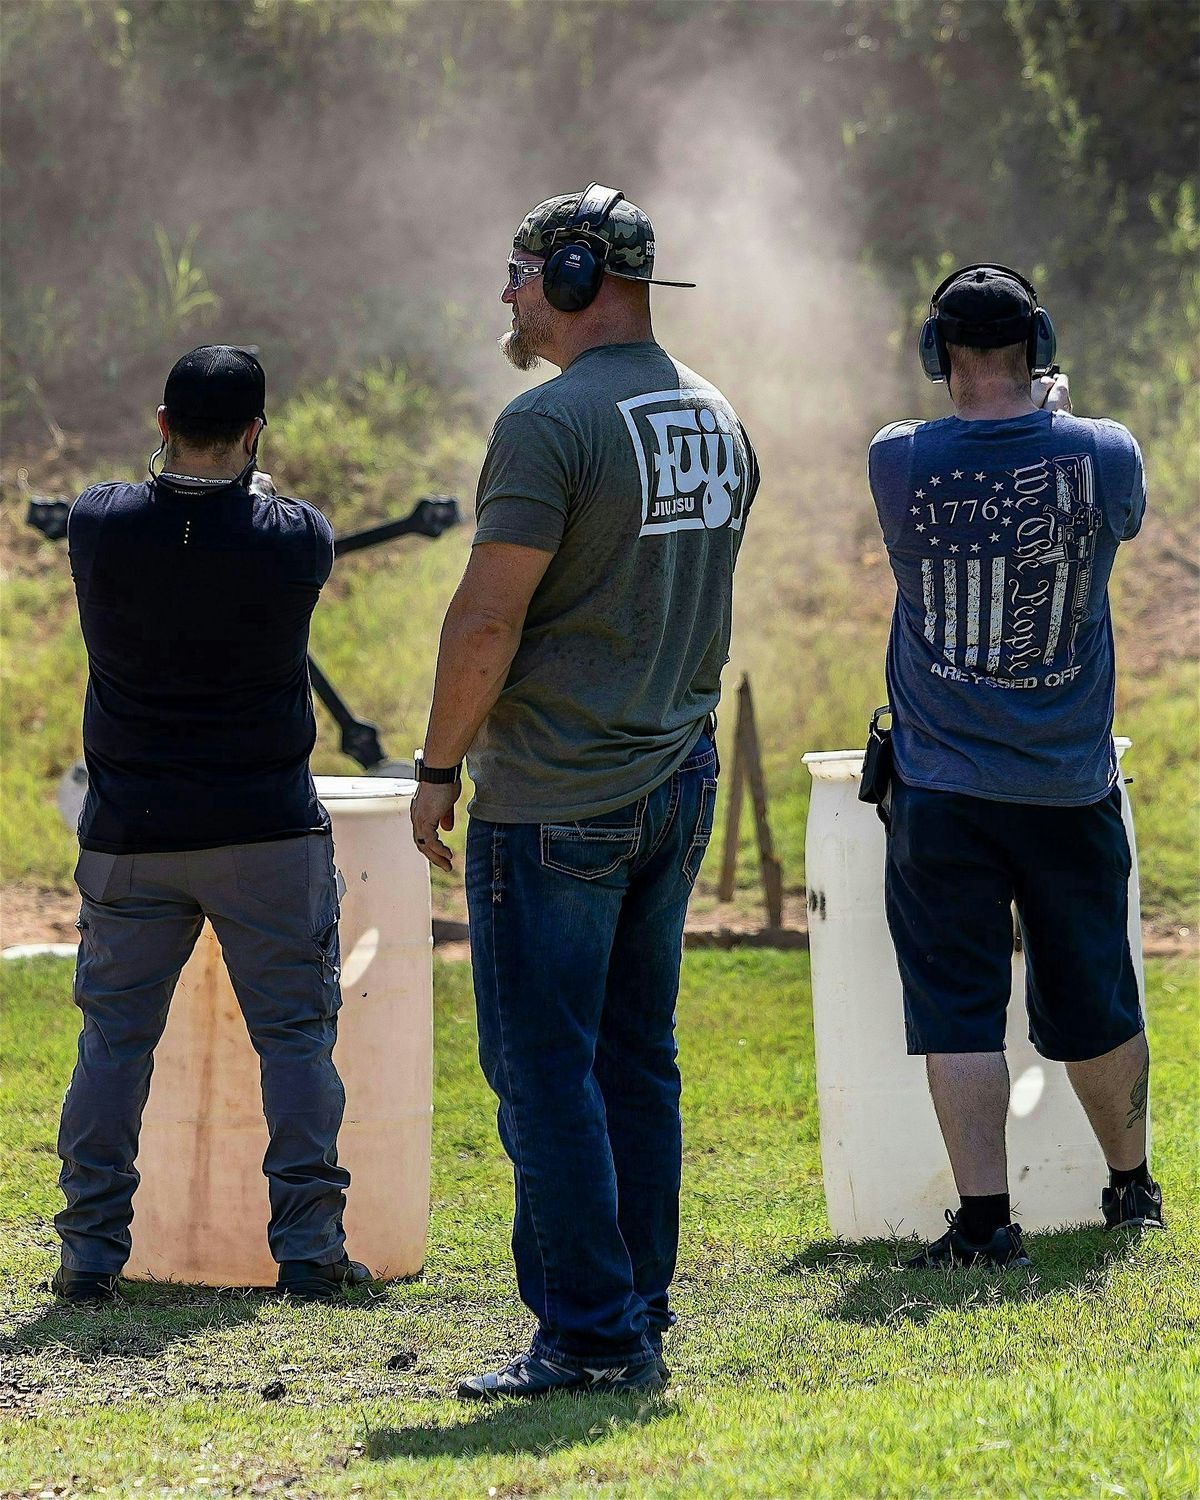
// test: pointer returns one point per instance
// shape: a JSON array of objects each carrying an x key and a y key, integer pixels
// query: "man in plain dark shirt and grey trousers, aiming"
[{"x": 196, "y": 592}]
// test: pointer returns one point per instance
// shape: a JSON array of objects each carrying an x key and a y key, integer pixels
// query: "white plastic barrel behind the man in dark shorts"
[{"x": 883, "y": 1157}]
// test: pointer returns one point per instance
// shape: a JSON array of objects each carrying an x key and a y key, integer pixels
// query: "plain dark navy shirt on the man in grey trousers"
[{"x": 196, "y": 610}]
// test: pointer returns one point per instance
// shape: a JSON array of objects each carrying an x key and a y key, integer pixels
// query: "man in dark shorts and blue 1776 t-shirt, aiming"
[{"x": 1001, "y": 526}]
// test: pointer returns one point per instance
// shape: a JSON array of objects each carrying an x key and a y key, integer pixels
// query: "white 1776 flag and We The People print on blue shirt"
[{"x": 1007, "y": 568}]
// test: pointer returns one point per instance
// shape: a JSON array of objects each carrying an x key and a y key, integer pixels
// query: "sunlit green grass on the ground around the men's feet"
[{"x": 802, "y": 1369}]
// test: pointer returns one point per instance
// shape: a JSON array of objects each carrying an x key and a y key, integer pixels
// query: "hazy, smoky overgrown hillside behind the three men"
[{"x": 337, "y": 182}]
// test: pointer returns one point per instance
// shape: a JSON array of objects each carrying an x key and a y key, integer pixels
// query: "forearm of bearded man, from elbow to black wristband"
[{"x": 475, "y": 656}]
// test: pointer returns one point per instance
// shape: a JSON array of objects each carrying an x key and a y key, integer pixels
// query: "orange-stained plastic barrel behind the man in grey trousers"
[{"x": 202, "y": 1210}]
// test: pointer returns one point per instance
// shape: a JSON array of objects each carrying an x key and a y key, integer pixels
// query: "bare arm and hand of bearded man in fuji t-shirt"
[{"x": 479, "y": 640}]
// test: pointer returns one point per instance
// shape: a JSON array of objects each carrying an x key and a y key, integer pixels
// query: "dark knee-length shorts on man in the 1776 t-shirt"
[{"x": 955, "y": 866}]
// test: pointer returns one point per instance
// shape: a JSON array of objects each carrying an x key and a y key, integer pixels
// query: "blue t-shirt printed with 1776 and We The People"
[{"x": 1001, "y": 536}]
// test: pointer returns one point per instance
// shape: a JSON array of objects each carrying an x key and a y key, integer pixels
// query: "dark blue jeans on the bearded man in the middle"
[{"x": 577, "y": 937}]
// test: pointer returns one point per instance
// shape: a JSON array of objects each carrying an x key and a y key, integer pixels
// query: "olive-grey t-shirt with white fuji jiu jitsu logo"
[{"x": 637, "y": 475}]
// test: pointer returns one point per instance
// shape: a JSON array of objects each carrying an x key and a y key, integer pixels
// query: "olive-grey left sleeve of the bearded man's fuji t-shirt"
[{"x": 530, "y": 473}]
